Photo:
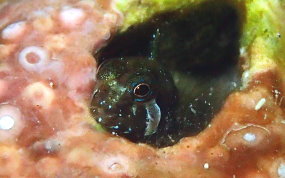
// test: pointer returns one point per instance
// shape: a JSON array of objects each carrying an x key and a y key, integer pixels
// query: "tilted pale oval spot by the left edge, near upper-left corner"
[{"x": 14, "y": 30}]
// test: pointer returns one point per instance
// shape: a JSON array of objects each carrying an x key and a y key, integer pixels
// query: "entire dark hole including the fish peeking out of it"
[{"x": 166, "y": 79}]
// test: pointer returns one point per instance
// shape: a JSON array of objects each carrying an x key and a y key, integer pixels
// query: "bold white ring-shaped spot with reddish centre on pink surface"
[{"x": 33, "y": 58}]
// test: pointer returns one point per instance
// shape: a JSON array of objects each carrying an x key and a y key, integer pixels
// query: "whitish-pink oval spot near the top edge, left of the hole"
[{"x": 71, "y": 17}]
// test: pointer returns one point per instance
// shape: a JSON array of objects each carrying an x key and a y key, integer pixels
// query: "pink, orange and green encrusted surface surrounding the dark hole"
[{"x": 55, "y": 136}]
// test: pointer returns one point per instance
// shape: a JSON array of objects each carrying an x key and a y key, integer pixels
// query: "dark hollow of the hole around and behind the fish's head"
[{"x": 199, "y": 47}]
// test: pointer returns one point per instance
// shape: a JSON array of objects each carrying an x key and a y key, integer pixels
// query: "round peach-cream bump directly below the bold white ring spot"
[{"x": 39, "y": 94}]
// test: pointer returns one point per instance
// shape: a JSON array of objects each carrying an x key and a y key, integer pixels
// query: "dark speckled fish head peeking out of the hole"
[{"x": 114, "y": 106}]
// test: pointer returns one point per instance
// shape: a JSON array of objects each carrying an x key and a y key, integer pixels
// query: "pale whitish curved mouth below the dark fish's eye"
[{"x": 153, "y": 116}]
